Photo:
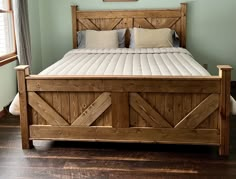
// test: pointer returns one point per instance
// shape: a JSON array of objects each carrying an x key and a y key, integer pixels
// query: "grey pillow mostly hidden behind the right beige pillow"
[{"x": 175, "y": 38}]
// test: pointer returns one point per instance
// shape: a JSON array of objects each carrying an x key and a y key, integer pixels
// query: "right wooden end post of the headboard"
[{"x": 183, "y": 24}]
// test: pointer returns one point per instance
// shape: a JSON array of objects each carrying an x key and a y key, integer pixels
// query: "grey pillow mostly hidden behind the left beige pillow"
[{"x": 82, "y": 38}]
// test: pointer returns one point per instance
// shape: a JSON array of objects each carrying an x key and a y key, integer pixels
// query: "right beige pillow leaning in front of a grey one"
[{"x": 153, "y": 38}]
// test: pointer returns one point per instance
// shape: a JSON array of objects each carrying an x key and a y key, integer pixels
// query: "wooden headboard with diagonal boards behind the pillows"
[{"x": 119, "y": 19}]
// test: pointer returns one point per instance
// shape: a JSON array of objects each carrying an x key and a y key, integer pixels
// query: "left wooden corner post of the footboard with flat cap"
[{"x": 22, "y": 72}]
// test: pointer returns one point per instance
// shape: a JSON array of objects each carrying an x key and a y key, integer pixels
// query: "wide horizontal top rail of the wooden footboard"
[{"x": 131, "y": 84}]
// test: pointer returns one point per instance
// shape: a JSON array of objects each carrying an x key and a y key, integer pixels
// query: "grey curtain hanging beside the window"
[{"x": 21, "y": 18}]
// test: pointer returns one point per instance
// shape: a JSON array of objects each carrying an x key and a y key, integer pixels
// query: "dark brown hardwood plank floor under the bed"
[{"x": 110, "y": 161}]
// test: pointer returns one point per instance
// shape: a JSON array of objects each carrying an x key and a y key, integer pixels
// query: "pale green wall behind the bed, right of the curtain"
[{"x": 210, "y": 29}]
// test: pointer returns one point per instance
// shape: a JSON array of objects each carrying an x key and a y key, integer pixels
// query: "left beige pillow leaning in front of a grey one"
[{"x": 102, "y": 39}]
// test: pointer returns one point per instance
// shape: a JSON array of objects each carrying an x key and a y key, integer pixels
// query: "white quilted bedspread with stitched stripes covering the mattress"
[{"x": 149, "y": 61}]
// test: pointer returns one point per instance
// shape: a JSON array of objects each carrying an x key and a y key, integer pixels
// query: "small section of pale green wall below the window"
[{"x": 8, "y": 84}]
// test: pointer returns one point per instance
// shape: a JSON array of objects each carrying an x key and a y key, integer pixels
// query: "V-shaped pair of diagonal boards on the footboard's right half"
[{"x": 191, "y": 121}]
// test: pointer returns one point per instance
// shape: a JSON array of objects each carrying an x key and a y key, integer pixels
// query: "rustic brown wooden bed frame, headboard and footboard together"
[{"x": 149, "y": 109}]
